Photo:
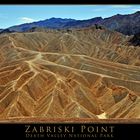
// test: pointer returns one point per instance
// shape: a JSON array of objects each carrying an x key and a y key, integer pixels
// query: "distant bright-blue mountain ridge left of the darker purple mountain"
[{"x": 56, "y": 23}]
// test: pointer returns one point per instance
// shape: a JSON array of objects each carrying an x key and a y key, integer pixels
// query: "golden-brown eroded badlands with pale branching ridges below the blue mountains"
[{"x": 70, "y": 74}]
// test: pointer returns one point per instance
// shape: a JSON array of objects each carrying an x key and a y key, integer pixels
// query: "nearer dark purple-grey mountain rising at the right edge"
[{"x": 126, "y": 24}]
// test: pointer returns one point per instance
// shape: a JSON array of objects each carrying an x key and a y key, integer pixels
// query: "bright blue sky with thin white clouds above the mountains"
[{"x": 18, "y": 14}]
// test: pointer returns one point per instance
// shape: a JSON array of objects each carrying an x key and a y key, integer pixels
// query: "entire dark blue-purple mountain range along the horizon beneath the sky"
[{"x": 126, "y": 24}]
